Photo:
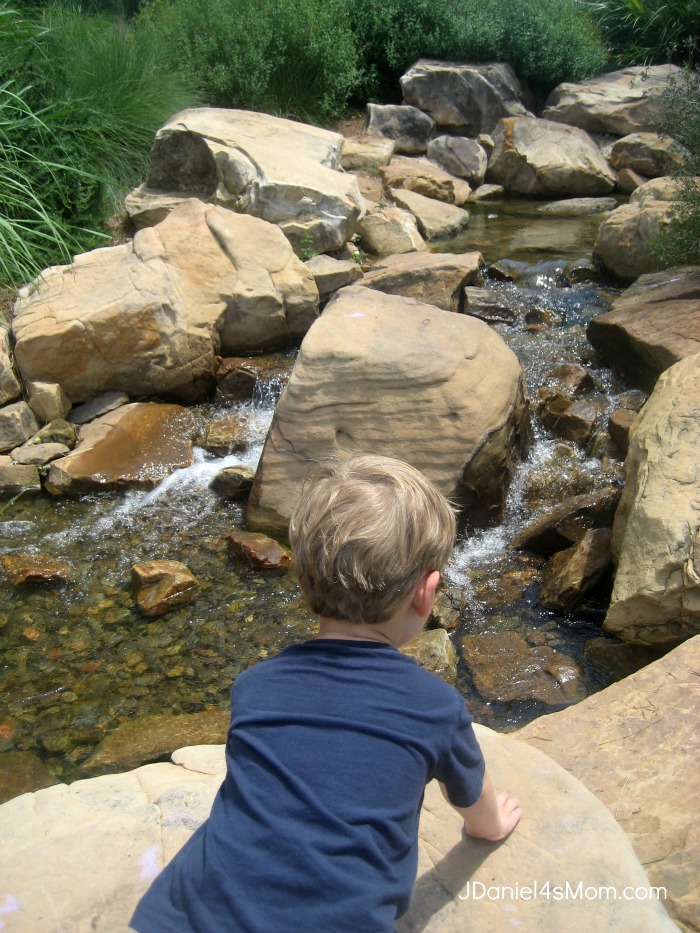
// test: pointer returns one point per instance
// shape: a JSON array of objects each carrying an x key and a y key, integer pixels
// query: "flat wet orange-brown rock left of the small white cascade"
[{"x": 134, "y": 447}]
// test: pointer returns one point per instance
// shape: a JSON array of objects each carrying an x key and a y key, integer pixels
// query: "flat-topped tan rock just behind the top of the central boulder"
[{"x": 436, "y": 278}]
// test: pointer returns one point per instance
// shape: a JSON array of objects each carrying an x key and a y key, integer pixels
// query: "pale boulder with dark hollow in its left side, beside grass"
[{"x": 281, "y": 171}]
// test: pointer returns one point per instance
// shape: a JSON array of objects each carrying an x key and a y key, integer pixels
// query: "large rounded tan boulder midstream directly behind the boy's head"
[{"x": 385, "y": 374}]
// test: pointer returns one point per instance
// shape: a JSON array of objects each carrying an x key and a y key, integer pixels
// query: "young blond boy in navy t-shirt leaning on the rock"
[{"x": 332, "y": 741}]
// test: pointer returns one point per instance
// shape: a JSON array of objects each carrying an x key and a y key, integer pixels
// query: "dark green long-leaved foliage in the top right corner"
[{"x": 649, "y": 32}]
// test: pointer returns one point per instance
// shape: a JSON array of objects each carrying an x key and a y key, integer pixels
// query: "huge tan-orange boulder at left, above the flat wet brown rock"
[{"x": 149, "y": 317}]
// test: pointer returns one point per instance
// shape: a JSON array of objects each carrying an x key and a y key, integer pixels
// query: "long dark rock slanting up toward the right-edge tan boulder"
[{"x": 559, "y": 527}]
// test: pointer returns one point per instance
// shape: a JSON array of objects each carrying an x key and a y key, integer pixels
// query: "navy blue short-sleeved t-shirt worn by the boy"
[{"x": 315, "y": 827}]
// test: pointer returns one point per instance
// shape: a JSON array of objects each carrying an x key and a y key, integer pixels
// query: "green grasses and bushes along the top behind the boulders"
[{"x": 86, "y": 85}]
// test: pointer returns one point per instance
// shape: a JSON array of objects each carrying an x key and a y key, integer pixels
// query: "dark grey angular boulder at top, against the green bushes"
[{"x": 467, "y": 99}]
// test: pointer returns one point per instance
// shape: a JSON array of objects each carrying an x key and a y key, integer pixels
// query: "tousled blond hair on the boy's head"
[{"x": 363, "y": 532}]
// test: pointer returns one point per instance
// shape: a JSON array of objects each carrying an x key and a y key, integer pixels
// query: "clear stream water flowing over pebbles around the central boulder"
[{"x": 80, "y": 660}]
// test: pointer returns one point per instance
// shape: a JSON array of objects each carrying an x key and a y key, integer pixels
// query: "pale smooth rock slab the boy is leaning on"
[{"x": 79, "y": 857}]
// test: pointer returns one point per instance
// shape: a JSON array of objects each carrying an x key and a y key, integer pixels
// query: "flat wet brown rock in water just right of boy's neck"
[{"x": 505, "y": 669}]
